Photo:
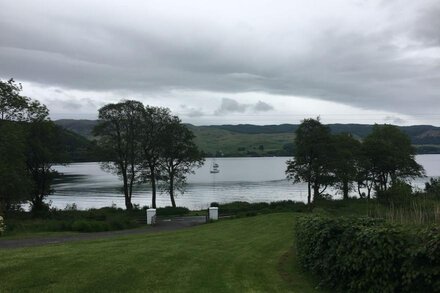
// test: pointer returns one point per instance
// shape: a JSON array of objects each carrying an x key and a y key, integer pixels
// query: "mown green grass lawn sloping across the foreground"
[{"x": 240, "y": 255}]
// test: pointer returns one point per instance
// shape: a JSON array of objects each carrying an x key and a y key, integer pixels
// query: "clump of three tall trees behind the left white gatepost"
[{"x": 144, "y": 144}]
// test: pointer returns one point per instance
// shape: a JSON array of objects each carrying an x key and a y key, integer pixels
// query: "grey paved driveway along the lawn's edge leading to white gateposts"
[{"x": 161, "y": 226}]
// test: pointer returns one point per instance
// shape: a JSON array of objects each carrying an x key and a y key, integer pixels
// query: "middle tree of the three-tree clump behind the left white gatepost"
[{"x": 154, "y": 125}]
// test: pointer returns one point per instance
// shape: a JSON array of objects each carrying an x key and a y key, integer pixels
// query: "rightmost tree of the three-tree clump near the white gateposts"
[{"x": 179, "y": 157}]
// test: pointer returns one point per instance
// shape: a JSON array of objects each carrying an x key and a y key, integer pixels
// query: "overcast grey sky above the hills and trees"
[{"x": 238, "y": 61}]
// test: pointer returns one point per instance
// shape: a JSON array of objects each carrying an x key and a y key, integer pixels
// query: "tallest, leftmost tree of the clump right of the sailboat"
[{"x": 312, "y": 152}]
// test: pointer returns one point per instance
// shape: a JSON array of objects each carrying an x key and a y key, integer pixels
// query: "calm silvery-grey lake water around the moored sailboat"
[{"x": 243, "y": 179}]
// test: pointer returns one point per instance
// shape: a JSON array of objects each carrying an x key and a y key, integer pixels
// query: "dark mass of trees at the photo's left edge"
[{"x": 29, "y": 146}]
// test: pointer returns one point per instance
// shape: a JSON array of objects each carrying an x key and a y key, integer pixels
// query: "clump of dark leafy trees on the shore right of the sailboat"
[{"x": 385, "y": 157}]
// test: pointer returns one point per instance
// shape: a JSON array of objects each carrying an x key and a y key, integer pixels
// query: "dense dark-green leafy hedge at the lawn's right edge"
[{"x": 368, "y": 255}]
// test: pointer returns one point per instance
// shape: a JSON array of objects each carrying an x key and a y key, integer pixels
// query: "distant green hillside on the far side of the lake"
[{"x": 269, "y": 140}]
